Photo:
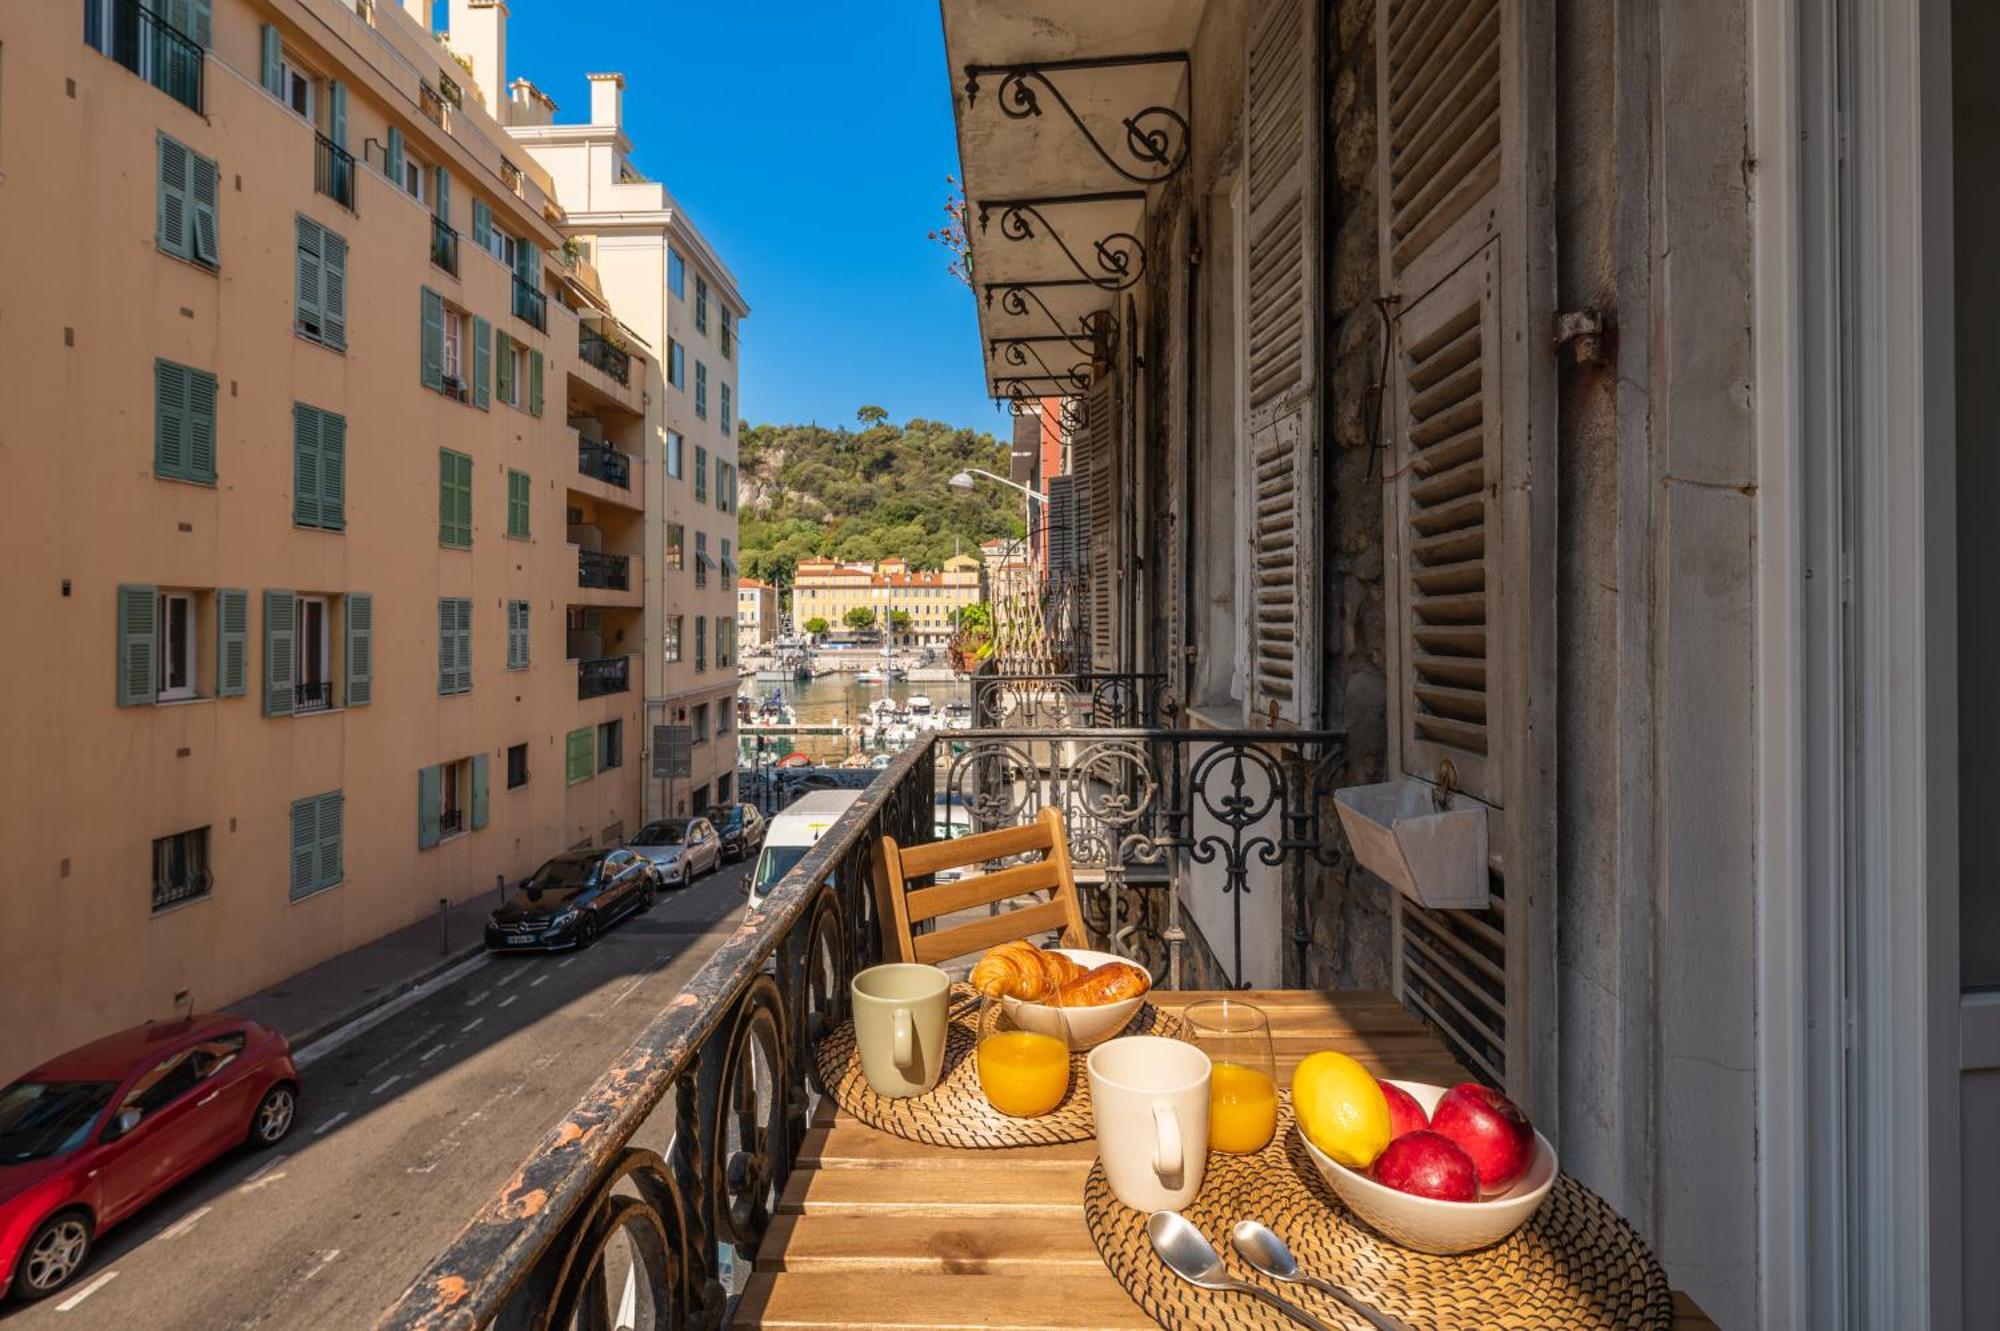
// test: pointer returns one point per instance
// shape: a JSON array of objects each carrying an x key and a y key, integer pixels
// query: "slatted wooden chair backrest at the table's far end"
[{"x": 901, "y": 906}]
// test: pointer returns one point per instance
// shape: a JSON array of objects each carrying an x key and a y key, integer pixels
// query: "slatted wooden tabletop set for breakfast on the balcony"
[{"x": 881, "y": 1232}]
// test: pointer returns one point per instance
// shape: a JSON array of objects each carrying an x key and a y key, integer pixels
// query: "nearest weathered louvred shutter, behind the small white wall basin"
[{"x": 1471, "y": 493}]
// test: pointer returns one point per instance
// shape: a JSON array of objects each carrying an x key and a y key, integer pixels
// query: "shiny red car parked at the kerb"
[{"x": 95, "y": 1134}]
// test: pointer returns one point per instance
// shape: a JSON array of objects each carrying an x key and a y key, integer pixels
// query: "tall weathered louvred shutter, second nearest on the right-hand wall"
[{"x": 1283, "y": 353}]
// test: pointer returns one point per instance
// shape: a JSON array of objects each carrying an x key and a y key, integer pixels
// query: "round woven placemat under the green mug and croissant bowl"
[{"x": 955, "y": 1112}]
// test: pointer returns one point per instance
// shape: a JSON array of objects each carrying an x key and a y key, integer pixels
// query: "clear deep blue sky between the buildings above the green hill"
[{"x": 811, "y": 145}]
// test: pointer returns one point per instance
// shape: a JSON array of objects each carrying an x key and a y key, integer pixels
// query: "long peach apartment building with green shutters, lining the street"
[{"x": 315, "y": 603}]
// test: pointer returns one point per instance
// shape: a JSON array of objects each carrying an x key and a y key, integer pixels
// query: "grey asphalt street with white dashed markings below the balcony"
[{"x": 407, "y": 1128}]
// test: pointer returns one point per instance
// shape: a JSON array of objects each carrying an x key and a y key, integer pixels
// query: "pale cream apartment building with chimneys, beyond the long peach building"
[{"x": 671, "y": 289}]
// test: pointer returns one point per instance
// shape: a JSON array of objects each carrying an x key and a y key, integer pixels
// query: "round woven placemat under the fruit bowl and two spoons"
[{"x": 1575, "y": 1266}]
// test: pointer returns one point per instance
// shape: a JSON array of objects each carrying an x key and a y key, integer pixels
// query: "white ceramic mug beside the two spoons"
[{"x": 1149, "y": 1098}]
